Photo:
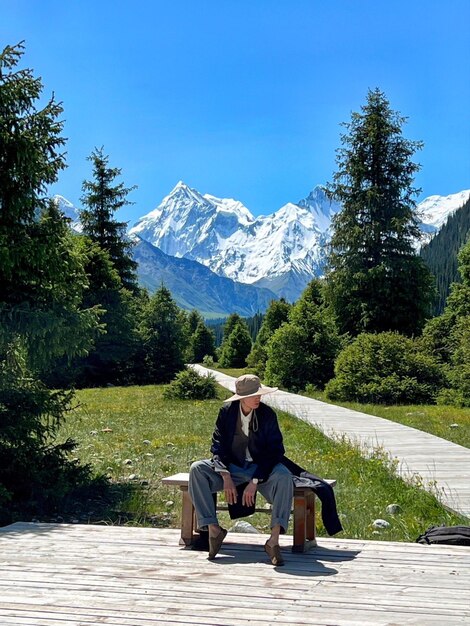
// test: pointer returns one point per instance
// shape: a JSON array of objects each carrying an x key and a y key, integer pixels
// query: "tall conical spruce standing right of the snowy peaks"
[{"x": 376, "y": 281}]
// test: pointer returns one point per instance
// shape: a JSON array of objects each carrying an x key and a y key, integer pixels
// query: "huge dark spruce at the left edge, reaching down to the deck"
[{"x": 41, "y": 288}]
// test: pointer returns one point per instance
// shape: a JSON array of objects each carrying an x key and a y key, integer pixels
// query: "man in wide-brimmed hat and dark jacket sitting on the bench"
[{"x": 248, "y": 450}]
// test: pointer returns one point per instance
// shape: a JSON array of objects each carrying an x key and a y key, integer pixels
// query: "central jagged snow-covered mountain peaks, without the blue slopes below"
[{"x": 223, "y": 235}]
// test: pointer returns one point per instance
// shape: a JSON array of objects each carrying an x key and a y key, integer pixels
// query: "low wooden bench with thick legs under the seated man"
[{"x": 304, "y": 536}]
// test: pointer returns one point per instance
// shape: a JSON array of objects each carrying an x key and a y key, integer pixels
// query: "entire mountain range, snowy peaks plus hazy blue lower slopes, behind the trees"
[{"x": 279, "y": 252}]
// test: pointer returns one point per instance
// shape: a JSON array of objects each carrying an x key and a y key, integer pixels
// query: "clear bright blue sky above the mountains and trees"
[{"x": 245, "y": 98}]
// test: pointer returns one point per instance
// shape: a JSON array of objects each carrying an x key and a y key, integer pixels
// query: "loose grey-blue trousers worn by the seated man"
[{"x": 278, "y": 490}]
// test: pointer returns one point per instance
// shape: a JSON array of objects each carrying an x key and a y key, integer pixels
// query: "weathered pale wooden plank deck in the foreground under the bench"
[{"x": 79, "y": 575}]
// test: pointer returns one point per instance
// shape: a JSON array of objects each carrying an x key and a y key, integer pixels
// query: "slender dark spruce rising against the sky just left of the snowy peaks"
[{"x": 102, "y": 200}]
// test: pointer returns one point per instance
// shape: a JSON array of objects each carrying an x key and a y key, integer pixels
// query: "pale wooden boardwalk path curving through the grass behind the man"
[{"x": 443, "y": 466}]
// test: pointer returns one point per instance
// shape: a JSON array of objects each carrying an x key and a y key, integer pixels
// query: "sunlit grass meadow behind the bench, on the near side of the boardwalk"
[{"x": 135, "y": 437}]
